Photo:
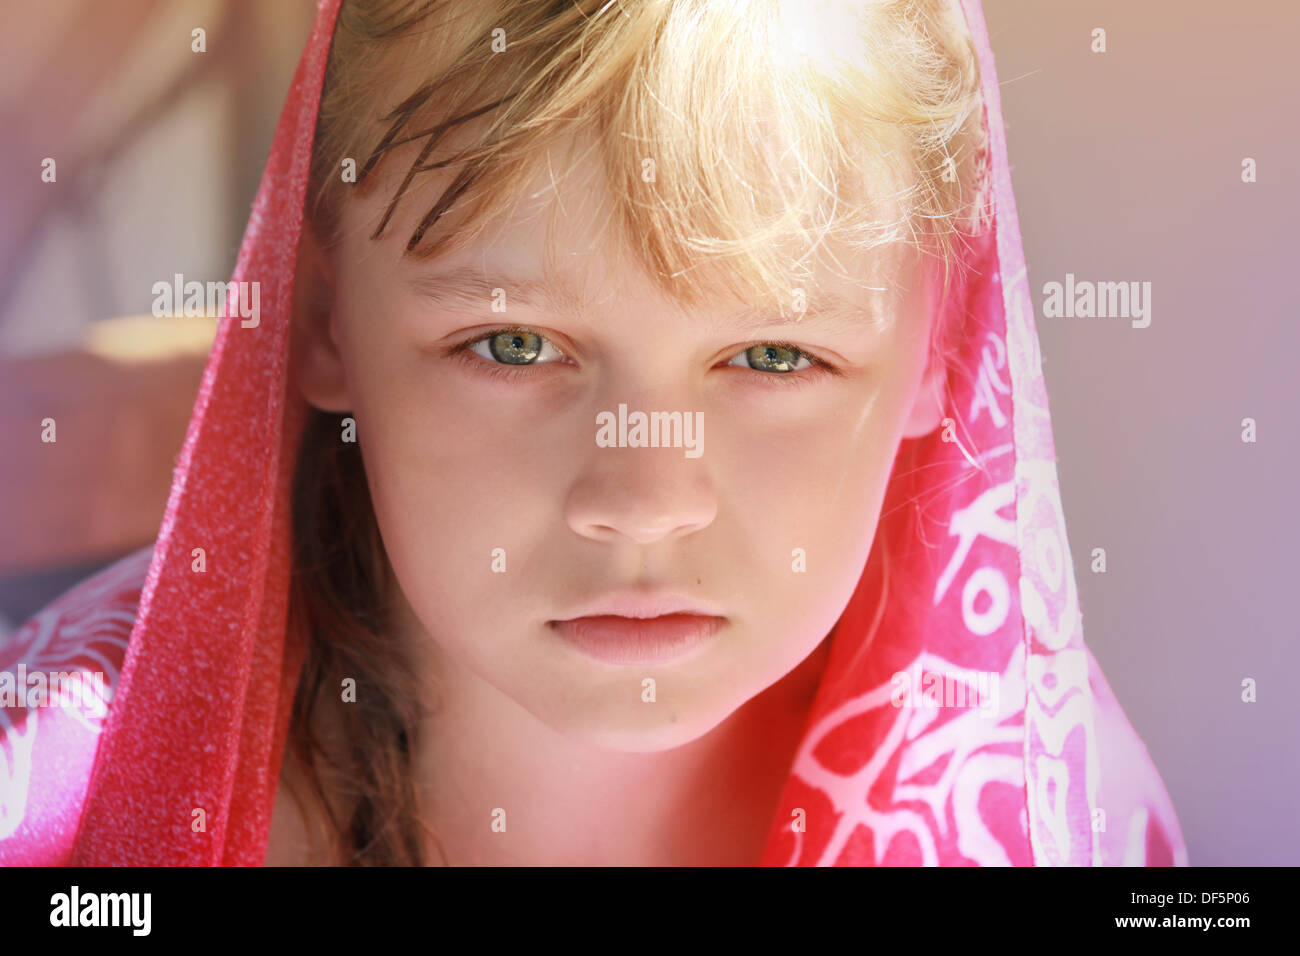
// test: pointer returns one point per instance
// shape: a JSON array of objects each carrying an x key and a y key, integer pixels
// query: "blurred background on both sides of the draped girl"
[{"x": 1128, "y": 167}]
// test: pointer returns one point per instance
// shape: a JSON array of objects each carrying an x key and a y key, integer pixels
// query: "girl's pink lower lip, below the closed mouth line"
[{"x": 639, "y": 641}]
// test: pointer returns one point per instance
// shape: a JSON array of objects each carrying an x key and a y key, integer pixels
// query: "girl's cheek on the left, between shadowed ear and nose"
[{"x": 461, "y": 482}]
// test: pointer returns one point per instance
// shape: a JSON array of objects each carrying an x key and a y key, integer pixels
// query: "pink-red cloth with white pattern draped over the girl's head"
[{"x": 981, "y": 582}]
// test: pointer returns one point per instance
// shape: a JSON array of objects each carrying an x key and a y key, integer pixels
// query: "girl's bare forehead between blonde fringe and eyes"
[{"x": 556, "y": 249}]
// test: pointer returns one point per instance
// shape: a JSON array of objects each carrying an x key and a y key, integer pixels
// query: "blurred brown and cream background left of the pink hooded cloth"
[{"x": 158, "y": 154}]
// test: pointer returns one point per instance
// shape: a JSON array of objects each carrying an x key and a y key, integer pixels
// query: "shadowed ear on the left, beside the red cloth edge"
[{"x": 318, "y": 365}]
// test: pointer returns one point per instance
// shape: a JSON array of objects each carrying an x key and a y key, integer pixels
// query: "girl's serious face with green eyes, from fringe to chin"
[{"x": 506, "y": 507}]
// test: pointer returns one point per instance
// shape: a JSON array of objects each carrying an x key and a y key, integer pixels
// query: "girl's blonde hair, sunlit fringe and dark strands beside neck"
[{"x": 738, "y": 137}]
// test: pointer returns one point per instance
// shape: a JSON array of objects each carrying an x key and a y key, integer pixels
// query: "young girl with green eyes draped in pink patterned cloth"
[{"x": 642, "y": 457}]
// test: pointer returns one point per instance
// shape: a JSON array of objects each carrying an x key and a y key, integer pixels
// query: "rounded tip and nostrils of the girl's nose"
[{"x": 644, "y": 495}]
